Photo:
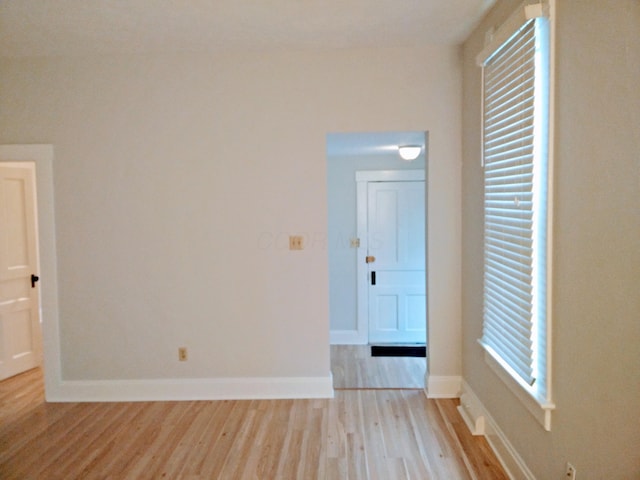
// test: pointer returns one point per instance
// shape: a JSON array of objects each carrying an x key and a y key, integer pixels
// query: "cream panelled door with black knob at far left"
[{"x": 20, "y": 337}]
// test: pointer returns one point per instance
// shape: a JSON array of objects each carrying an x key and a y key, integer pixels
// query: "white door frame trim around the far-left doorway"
[{"x": 42, "y": 156}]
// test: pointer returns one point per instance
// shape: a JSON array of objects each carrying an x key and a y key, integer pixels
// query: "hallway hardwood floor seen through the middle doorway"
[{"x": 353, "y": 366}]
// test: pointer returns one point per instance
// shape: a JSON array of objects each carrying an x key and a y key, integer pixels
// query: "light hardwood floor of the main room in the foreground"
[{"x": 361, "y": 434}]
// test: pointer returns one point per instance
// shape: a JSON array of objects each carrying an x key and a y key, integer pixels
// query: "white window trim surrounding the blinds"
[{"x": 540, "y": 406}]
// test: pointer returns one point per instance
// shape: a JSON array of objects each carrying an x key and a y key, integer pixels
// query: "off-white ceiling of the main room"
[{"x": 87, "y": 27}]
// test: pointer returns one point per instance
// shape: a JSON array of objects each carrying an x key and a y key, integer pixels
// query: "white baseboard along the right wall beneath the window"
[{"x": 480, "y": 422}]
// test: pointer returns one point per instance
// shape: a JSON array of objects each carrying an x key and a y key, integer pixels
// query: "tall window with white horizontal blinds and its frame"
[{"x": 515, "y": 132}]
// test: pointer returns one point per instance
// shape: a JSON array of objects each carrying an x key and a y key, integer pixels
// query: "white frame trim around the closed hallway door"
[{"x": 363, "y": 177}]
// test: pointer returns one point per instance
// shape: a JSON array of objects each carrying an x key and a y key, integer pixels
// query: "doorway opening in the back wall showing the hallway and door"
[{"x": 376, "y": 298}]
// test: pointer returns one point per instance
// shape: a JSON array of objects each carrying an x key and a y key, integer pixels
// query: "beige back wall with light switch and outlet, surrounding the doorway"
[{"x": 178, "y": 178}]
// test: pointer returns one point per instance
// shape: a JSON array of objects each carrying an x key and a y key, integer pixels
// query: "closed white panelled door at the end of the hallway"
[{"x": 396, "y": 261}]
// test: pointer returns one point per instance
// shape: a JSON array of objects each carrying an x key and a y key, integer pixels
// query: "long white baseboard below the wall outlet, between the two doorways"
[{"x": 191, "y": 389}]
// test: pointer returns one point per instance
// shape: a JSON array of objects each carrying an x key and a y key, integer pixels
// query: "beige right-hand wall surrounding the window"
[{"x": 596, "y": 259}]
